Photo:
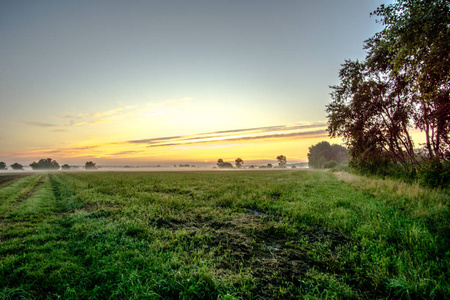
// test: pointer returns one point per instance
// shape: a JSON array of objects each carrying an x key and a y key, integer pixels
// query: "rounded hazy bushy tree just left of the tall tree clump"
[{"x": 324, "y": 155}]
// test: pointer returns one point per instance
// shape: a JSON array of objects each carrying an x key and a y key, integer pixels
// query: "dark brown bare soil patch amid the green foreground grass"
[{"x": 254, "y": 242}]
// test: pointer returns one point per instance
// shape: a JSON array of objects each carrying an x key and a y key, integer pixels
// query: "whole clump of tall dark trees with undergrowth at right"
[{"x": 403, "y": 83}]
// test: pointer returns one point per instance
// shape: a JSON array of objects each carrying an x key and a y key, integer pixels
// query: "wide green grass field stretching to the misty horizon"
[{"x": 221, "y": 235}]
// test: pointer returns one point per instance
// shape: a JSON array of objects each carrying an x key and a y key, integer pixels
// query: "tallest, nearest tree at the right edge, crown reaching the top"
[{"x": 415, "y": 44}]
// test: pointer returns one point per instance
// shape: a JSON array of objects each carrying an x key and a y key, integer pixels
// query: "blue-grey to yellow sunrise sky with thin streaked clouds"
[{"x": 144, "y": 82}]
